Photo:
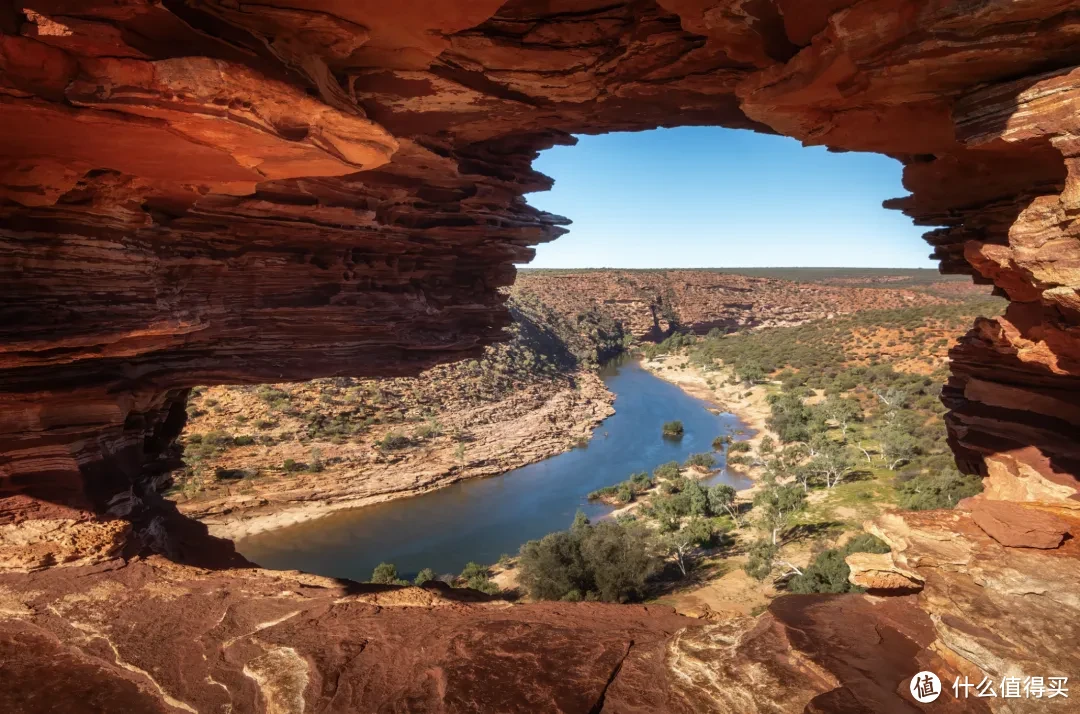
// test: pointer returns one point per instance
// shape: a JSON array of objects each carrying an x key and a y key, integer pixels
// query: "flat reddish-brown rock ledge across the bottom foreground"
[{"x": 152, "y": 636}]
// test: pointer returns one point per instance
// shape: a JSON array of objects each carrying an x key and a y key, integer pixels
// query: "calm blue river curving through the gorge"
[{"x": 482, "y": 519}]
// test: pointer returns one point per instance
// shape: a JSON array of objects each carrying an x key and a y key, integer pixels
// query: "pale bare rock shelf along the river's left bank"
[{"x": 526, "y": 428}]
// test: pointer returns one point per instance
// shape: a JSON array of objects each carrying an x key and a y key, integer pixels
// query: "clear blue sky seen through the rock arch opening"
[{"x": 718, "y": 198}]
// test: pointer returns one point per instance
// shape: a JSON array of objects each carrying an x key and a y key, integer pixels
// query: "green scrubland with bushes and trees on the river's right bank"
[{"x": 852, "y": 435}]
